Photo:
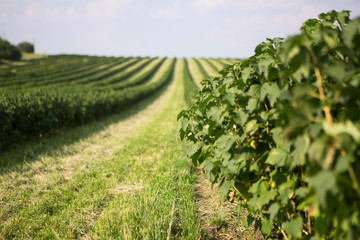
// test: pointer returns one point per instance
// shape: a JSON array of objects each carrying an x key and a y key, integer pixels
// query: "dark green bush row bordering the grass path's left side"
[{"x": 38, "y": 113}]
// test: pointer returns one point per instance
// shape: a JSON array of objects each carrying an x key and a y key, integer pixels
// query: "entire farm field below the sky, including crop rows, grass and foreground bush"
[{"x": 157, "y": 148}]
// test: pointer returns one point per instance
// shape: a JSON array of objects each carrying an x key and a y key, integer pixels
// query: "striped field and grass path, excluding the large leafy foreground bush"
[{"x": 121, "y": 174}]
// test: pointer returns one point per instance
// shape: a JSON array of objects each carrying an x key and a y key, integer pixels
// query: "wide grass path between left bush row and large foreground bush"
[{"x": 129, "y": 180}]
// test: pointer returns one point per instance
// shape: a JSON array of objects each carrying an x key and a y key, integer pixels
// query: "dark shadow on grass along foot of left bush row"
[{"x": 18, "y": 156}]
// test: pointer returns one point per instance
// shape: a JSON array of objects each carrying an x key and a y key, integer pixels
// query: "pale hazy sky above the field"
[{"x": 163, "y": 28}]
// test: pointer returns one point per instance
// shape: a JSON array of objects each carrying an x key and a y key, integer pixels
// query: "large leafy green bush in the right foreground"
[{"x": 281, "y": 130}]
